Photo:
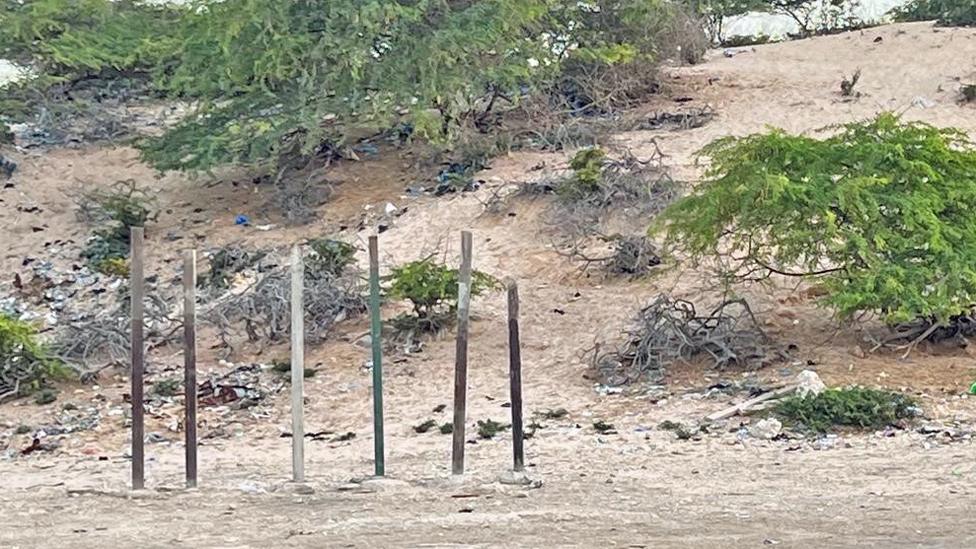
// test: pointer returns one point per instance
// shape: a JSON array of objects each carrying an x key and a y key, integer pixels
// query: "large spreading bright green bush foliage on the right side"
[{"x": 879, "y": 213}]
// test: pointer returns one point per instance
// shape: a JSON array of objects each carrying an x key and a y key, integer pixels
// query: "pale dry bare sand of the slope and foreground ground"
[{"x": 637, "y": 488}]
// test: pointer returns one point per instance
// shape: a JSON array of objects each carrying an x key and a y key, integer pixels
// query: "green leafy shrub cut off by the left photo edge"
[{"x": 25, "y": 363}]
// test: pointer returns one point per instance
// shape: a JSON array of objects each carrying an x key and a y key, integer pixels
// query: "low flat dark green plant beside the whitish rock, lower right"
[{"x": 849, "y": 407}]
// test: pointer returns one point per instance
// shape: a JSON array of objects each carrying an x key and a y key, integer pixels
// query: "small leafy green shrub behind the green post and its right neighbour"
[{"x": 432, "y": 290}]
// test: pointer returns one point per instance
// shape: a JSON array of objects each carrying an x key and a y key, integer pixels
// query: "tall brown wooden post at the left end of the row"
[{"x": 136, "y": 294}]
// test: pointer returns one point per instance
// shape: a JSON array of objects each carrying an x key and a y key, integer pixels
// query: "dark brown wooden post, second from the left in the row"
[{"x": 190, "y": 363}]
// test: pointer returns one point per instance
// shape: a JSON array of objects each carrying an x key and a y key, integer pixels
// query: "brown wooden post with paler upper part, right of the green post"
[{"x": 461, "y": 358}]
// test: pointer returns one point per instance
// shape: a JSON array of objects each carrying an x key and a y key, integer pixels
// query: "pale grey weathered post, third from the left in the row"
[{"x": 297, "y": 366}]
